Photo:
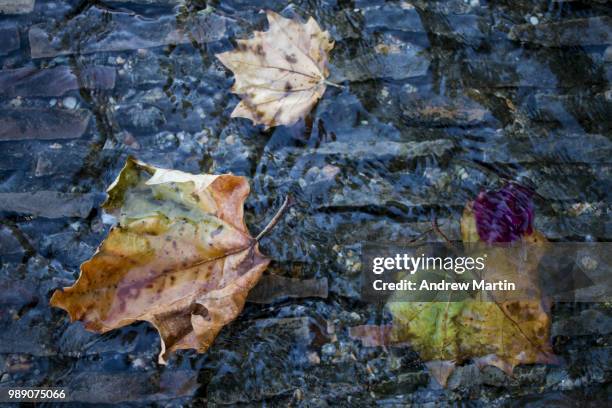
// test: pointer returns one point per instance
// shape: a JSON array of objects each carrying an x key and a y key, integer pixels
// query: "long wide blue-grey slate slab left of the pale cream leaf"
[{"x": 121, "y": 31}]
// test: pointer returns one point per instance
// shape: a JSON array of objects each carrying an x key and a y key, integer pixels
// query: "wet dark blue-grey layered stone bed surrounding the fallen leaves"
[{"x": 441, "y": 99}]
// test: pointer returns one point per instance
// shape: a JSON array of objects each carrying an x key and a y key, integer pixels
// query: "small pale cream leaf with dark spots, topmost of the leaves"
[{"x": 280, "y": 73}]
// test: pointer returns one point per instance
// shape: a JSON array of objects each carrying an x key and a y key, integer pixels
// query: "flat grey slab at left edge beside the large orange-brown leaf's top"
[{"x": 48, "y": 204}]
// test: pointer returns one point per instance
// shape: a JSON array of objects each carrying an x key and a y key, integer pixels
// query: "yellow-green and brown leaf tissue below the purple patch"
[{"x": 493, "y": 332}]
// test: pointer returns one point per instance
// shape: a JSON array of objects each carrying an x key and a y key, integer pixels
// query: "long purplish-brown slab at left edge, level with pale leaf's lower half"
[{"x": 54, "y": 81}]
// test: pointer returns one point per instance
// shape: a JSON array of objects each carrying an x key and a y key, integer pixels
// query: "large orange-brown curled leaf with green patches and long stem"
[{"x": 181, "y": 258}]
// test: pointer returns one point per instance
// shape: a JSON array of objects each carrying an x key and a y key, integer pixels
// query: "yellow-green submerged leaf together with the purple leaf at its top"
[{"x": 489, "y": 331}]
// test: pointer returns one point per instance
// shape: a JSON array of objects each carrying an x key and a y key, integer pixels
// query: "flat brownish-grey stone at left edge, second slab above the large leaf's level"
[{"x": 42, "y": 124}]
